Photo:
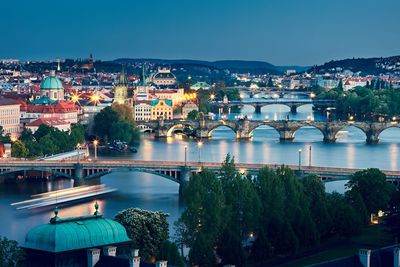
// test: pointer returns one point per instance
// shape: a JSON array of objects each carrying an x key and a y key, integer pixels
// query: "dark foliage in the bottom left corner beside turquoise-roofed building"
[{"x": 11, "y": 254}]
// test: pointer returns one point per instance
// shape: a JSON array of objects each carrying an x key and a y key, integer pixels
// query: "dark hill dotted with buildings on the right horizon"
[{"x": 366, "y": 66}]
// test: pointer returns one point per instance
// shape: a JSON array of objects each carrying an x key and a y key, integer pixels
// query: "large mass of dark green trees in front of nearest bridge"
[{"x": 283, "y": 212}]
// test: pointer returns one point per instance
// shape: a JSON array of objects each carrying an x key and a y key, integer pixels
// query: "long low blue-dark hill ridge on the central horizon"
[{"x": 240, "y": 66}]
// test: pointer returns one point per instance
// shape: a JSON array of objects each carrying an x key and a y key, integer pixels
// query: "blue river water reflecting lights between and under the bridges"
[{"x": 155, "y": 193}]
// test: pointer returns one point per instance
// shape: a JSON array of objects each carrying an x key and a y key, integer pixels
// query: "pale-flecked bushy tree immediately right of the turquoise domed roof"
[{"x": 148, "y": 230}]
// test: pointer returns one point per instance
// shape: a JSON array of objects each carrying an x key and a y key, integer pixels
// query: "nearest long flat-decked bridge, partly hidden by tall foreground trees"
[{"x": 176, "y": 171}]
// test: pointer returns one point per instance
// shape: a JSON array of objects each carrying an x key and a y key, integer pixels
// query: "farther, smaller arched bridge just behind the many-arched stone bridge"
[{"x": 293, "y": 104}]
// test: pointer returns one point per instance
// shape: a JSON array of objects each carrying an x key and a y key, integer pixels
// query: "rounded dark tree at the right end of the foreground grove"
[{"x": 373, "y": 188}]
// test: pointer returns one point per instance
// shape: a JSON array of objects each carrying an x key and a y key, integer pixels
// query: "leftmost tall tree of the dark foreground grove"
[{"x": 203, "y": 218}]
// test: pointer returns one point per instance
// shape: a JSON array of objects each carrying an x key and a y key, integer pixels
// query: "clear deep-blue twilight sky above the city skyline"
[{"x": 282, "y": 32}]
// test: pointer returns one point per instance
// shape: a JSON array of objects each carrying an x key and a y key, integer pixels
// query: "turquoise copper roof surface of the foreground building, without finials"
[{"x": 75, "y": 233}]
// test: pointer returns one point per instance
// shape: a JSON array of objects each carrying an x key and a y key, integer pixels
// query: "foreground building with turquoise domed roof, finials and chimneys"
[{"x": 78, "y": 241}]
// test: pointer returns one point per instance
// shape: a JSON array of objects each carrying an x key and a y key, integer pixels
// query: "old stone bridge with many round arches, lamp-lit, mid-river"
[{"x": 244, "y": 128}]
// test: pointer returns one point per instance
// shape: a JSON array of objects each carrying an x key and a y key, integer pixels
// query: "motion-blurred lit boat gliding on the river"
[{"x": 63, "y": 197}]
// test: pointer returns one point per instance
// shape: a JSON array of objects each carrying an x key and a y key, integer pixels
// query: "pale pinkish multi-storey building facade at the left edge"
[{"x": 10, "y": 116}]
